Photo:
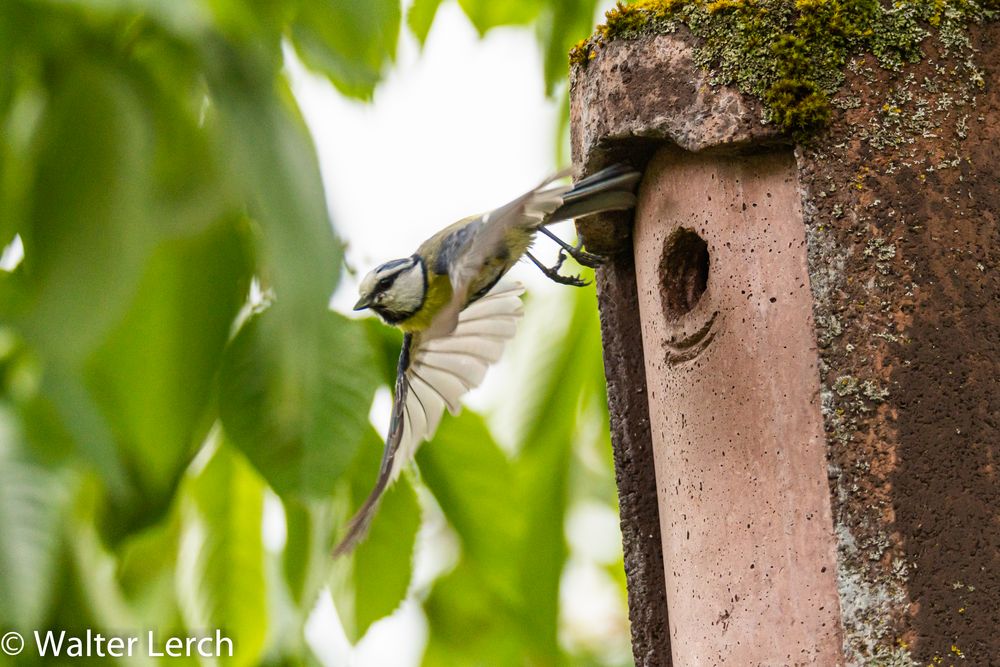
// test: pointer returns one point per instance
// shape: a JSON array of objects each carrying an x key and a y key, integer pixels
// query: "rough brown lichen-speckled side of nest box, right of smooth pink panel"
[{"x": 903, "y": 219}]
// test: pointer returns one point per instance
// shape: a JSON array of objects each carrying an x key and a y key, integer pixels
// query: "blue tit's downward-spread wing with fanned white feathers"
[{"x": 433, "y": 374}]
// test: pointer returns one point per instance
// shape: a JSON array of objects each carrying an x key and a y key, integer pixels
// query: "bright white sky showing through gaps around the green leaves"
[{"x": 456, "y": 129}]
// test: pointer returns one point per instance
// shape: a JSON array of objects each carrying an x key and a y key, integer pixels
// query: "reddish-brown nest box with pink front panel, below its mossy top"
[{"x": 802, "y": 348}]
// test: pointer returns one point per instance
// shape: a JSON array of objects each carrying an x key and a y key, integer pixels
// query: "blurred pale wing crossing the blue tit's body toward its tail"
[{"x": 529, "y": 211}]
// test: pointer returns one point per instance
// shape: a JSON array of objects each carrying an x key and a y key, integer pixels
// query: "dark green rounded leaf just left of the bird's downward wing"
[{"x": 301, "y": 437}]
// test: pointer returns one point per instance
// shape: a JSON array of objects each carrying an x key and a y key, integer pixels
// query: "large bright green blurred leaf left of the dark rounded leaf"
[{"x": 153, "y": 374}]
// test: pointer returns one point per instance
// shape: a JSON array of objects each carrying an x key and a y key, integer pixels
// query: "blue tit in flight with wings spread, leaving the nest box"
[{"x": 456, "y": 314}]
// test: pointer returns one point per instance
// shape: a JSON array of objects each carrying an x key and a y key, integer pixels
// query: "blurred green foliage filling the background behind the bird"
[{"x": 169, "y": 367}]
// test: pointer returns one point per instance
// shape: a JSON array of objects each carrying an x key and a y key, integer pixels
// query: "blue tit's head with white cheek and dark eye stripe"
[{"x": 395, "y": 290}]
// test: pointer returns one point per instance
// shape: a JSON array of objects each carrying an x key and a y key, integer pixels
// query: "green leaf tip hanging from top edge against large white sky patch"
[{"x": 349, "y": 42}]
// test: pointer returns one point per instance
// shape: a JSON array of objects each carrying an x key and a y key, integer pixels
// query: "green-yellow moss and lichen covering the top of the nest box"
[{"x": 791, "y": 54}]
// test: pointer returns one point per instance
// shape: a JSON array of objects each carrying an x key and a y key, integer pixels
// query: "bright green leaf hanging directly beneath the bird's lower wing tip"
[{"x": 373, "y": 581}]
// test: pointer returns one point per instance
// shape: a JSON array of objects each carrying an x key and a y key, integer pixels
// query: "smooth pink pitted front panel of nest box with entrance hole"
[{"x": 734, "y": 409}]
